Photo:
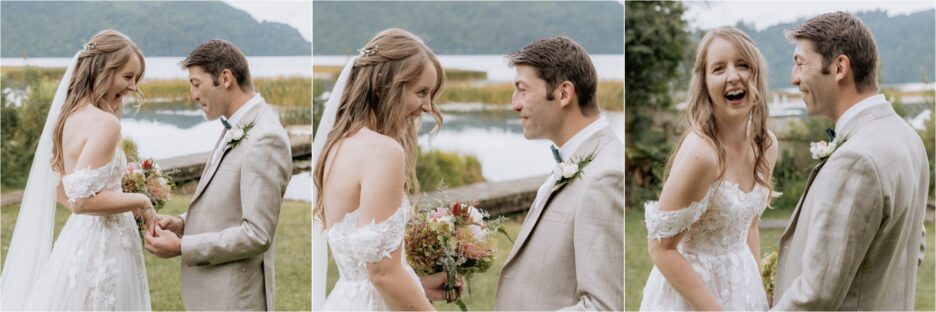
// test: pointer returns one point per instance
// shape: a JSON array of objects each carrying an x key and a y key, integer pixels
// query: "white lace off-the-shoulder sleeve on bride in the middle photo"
[{"x": 374, "y": 241}]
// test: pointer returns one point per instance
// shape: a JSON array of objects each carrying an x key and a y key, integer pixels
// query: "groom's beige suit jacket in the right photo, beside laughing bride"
[{"x": 855, "y": 237}]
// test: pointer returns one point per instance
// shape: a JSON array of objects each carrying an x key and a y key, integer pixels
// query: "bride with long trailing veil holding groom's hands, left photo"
[{"x": 97, "y": 260}]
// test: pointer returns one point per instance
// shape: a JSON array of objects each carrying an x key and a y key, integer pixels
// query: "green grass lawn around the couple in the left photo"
[{"x": 293, "y": 256}]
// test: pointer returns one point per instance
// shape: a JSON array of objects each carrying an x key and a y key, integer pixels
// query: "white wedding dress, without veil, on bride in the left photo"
[{"x": 97, "y": 261}]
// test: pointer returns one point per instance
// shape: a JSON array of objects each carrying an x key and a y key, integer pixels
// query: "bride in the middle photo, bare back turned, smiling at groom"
[{"x": 367, "y": 164}]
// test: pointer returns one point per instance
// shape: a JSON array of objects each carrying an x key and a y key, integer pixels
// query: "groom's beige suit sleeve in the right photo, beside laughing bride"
[{"x": 846, "y": 209}]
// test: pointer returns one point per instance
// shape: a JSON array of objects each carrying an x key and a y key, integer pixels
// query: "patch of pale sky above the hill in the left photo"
[{"x": 295, "y": 13}]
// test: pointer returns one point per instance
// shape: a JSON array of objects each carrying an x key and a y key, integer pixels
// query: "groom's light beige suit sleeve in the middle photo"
[{"x": 598, "y": 242}]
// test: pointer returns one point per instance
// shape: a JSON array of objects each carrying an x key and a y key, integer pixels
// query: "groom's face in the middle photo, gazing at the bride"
[{"x": 541, "y": 118}]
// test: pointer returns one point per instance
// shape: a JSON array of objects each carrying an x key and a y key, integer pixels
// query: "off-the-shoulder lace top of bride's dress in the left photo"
[{"x": 85, "y": 183}]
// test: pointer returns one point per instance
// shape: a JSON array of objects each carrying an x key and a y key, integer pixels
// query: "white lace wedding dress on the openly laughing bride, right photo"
[{"x": 715, "y": 245}]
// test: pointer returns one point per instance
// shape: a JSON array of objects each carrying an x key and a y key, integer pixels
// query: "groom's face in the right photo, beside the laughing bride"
[{"x": 819, "y": 90}]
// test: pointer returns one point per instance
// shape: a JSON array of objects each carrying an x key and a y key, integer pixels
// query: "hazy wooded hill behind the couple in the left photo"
[{"x": 159, "y": 28}]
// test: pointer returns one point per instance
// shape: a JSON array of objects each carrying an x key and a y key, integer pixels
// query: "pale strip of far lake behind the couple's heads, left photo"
[{"x": 168, "y": 67}]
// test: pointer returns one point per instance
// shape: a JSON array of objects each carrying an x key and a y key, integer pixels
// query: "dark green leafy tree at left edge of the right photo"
[{"x": 655, "y": 42}]
